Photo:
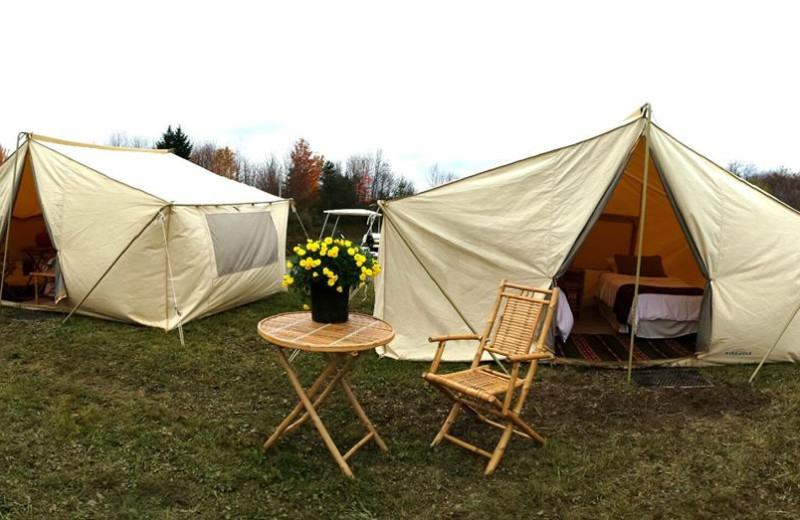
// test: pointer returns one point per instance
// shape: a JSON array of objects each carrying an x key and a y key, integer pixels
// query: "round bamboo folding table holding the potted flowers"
[{"x": 341, "y": 343}]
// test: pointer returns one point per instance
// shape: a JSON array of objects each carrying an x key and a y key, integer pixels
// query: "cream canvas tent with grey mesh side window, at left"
[{"x": 184, "y": 239}]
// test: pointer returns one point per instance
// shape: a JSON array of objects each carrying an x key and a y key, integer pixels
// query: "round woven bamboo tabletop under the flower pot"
[{"x": 296, "y": 330}]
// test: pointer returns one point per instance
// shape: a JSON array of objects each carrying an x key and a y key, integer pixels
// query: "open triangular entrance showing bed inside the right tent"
[{"x": 599, "y": 282}]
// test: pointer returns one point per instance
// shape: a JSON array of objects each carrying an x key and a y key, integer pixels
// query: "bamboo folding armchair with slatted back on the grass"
[{"x": 510, "y": 332}]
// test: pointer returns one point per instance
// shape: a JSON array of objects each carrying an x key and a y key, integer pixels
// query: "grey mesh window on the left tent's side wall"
[{"x": 243, "y": 241}]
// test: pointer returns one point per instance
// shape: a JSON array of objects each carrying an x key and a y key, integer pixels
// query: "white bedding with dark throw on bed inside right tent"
[{"x": 675, "y": 307}]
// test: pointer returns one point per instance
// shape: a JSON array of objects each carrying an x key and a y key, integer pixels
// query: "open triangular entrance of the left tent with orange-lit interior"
[{"x": 31, "y": 269}]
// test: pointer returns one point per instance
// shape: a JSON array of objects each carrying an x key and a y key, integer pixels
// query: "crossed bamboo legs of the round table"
[{"x": 339, "y": 365}]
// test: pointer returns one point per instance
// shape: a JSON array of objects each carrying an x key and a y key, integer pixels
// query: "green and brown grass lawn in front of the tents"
[{"x": 105, "y": 420}]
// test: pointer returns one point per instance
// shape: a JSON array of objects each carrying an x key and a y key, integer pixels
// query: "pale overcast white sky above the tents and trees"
[{"x": 468, "y": 86}]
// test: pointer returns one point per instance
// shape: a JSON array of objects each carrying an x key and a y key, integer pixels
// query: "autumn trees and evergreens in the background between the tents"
[{"x": 313, "y": 181}]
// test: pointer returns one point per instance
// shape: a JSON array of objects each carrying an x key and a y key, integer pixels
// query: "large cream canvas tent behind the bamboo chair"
[{"x": 445, "y": 250}]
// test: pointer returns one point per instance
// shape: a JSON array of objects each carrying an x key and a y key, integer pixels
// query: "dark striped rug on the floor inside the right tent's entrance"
[{"x": 612, "y": 350}]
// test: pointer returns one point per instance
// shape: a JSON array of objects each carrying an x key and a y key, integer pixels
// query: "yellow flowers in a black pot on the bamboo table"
[{"x": 328, "y": 269}]
